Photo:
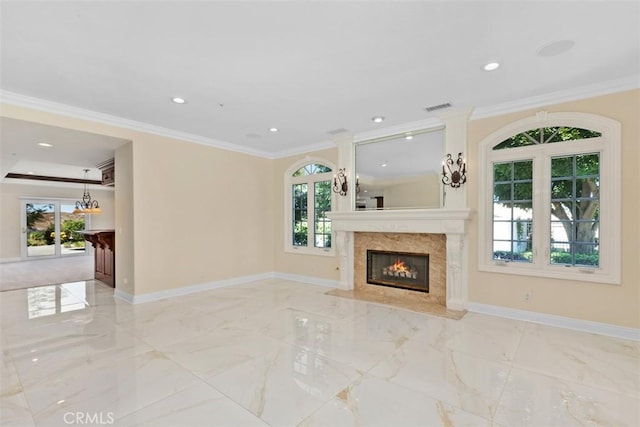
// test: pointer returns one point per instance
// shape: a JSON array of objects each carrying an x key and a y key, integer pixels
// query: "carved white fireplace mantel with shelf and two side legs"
[{"x": 449, "y": 222}]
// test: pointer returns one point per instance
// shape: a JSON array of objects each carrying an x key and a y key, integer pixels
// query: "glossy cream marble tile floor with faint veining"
[{"x": 279, "y": 353}]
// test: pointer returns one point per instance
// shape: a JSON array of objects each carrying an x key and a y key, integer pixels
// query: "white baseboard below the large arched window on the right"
[{"x": 558, "y": 321}]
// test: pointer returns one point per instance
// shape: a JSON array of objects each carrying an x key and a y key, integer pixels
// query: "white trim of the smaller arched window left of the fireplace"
[{"x": 288, "y": 208}]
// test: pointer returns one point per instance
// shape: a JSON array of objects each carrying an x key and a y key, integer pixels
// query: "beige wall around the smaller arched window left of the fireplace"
[{"x": 323, "y": 267}]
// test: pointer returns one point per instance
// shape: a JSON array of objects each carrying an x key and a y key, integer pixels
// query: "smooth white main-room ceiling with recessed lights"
[{"x": 311, "y": 69}]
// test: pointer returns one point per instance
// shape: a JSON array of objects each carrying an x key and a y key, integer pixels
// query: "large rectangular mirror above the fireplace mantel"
[{"x": 400, "y": 171}]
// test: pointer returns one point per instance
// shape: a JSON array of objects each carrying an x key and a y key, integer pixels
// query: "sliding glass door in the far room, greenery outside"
[{"x": 51, "y": 229}]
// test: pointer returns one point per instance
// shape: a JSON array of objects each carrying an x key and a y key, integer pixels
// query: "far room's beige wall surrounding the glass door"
[{"x": 10, "y": 211}]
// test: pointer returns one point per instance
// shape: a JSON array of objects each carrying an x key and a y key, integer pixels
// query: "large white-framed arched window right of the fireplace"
[{"x": 550, "y": 198}]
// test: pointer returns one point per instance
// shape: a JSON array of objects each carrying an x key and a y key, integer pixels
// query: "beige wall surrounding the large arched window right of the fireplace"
[{"x": 614, "y": 304}]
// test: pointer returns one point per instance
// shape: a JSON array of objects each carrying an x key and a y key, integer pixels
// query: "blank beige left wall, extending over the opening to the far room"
[{"x": 199, "y": 214}]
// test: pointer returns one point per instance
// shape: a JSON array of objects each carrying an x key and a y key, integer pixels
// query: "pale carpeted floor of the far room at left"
[{"x": 25, "y": 274}]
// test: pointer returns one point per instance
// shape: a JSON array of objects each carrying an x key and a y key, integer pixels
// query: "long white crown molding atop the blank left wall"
[{"x": 81, "y": 113}]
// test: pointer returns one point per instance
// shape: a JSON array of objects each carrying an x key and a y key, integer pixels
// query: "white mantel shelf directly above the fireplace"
[{"x": 445, "y": 221}]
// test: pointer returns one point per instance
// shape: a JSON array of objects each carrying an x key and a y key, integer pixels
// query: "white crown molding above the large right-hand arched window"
[{"x": 561, "y": 96}]
